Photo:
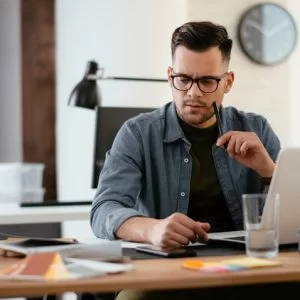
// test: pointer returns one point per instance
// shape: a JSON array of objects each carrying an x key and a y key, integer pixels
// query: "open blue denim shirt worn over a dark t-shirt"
[{"x": 147, "y": 171}]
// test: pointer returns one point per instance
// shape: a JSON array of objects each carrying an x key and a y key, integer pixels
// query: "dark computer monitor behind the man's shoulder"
[{"x": 108, "y": 122}]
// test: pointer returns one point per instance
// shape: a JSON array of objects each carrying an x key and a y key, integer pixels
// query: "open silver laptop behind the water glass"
[{"x": 285, "y": 182}]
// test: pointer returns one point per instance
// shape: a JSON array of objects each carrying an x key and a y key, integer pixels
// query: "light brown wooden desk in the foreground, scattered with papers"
[{"x": 157, "y": 274}]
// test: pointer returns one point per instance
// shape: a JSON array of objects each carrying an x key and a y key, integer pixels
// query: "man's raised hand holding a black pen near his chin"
[{"x": 247, "y": 149}]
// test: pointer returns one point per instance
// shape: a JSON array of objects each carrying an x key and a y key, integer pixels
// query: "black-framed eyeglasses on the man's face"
[{"x": 206, "y": 84}]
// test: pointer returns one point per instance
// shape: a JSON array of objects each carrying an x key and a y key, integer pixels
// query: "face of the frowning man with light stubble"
[{"x": 195, "y": 106}]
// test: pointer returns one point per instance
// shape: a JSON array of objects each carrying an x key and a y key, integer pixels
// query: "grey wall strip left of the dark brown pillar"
[{"x": 10, "y": 82}]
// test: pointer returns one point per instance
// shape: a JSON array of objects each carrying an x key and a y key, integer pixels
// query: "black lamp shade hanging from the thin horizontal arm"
[{"x": 86, "y": 94}]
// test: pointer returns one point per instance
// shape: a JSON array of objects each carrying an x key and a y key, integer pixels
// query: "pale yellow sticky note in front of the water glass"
[{"x": 251, "y": 262}]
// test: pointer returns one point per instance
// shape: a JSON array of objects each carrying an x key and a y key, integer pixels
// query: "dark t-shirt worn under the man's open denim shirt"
[{"x": 206, "y": 203}]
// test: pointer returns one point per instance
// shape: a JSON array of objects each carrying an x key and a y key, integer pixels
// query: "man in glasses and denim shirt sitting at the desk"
[{"x": 168, "y": 179}]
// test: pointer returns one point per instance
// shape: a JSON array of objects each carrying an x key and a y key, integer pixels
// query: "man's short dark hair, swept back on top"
[{"x": 200, "y": 36}]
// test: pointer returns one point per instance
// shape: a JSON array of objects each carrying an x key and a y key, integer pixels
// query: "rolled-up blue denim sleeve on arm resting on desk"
[{"x": 119, "y": 184}]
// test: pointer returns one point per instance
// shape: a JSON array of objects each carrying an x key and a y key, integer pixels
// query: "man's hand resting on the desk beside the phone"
[{"x": 177, "y": 230}]
